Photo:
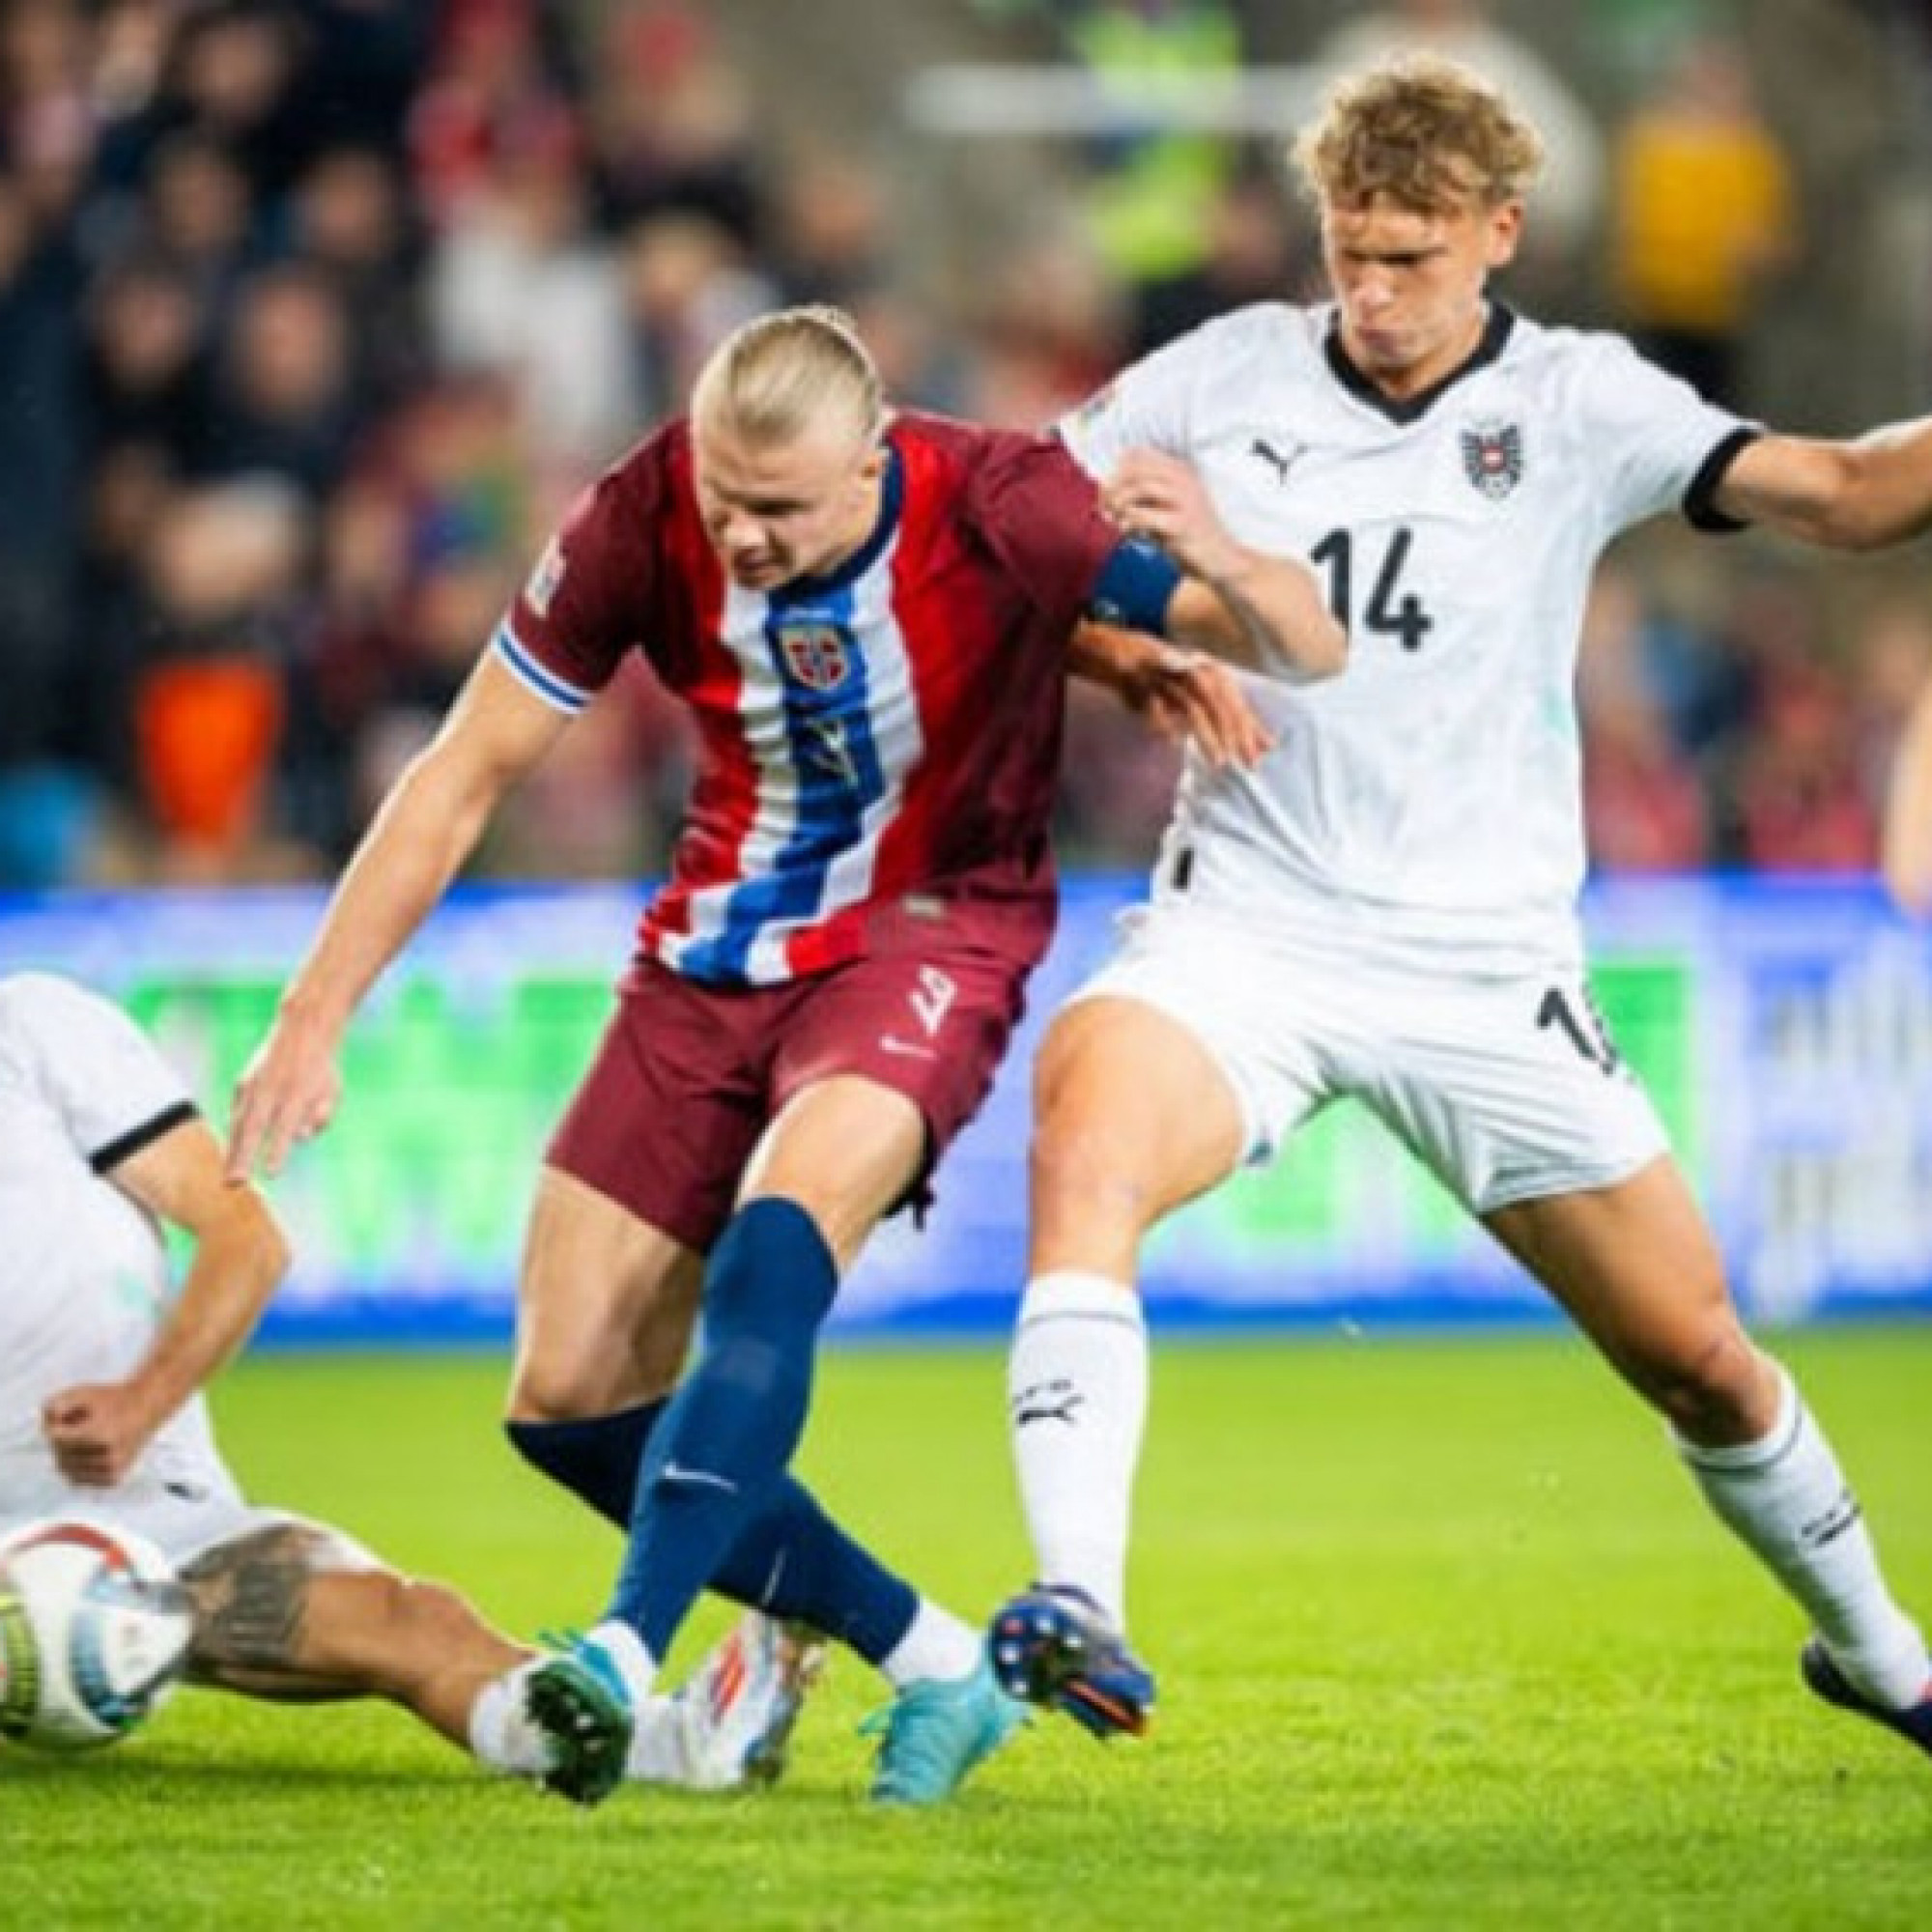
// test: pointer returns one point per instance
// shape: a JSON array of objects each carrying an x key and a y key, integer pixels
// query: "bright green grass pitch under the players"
[{"x": 1444, "y": 1637}]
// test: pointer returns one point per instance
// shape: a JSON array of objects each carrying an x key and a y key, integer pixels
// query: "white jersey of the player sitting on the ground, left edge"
[{"x": 84, "y": 1270}]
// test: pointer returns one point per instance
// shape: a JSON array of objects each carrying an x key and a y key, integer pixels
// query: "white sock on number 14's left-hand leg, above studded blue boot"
[{"x": 1077, "y": 1388}]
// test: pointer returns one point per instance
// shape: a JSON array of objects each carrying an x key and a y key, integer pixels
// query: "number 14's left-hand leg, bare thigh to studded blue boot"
[{"x": 1131, "y": 1120}]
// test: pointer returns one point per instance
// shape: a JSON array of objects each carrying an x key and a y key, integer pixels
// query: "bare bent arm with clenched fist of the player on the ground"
[{"x": 99, "y": 1431}]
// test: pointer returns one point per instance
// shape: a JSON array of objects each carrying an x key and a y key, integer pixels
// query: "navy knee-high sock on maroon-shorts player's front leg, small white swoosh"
[{"x": 720, "y": 1454}]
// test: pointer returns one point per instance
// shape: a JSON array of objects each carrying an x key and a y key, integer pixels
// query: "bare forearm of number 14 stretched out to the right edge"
[{"x": 1858, "y": 496}]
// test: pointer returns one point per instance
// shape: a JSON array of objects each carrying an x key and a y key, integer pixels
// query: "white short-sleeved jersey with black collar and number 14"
[{"x": 1427, "y": 801}]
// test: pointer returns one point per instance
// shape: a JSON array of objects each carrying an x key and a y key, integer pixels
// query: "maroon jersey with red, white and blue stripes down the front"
[{"x": 874, "y": 747}]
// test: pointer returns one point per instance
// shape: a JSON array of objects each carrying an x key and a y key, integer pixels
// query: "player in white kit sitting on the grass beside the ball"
[{"x": 101, "y": 1415}]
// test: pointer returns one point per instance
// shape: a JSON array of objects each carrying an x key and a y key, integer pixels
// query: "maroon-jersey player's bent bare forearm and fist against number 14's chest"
[{"x": 1259, "y": 611}]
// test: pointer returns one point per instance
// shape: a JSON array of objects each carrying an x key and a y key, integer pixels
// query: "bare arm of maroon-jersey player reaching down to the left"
[{"x": 420, "y": 838}]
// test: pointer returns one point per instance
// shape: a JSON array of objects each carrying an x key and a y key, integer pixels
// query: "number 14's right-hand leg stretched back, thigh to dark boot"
[{"x": 1637, "y": 1268}]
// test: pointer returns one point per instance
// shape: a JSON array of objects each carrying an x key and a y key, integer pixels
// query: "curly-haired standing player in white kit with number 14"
[{"x": 1386, "y": 905}]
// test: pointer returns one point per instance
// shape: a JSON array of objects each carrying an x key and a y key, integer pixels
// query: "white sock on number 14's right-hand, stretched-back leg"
[{"x": 1790, "y": 1502}]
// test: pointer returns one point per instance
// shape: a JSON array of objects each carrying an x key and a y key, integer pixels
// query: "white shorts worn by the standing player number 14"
[{"x": 1506, "y": 1089}]
